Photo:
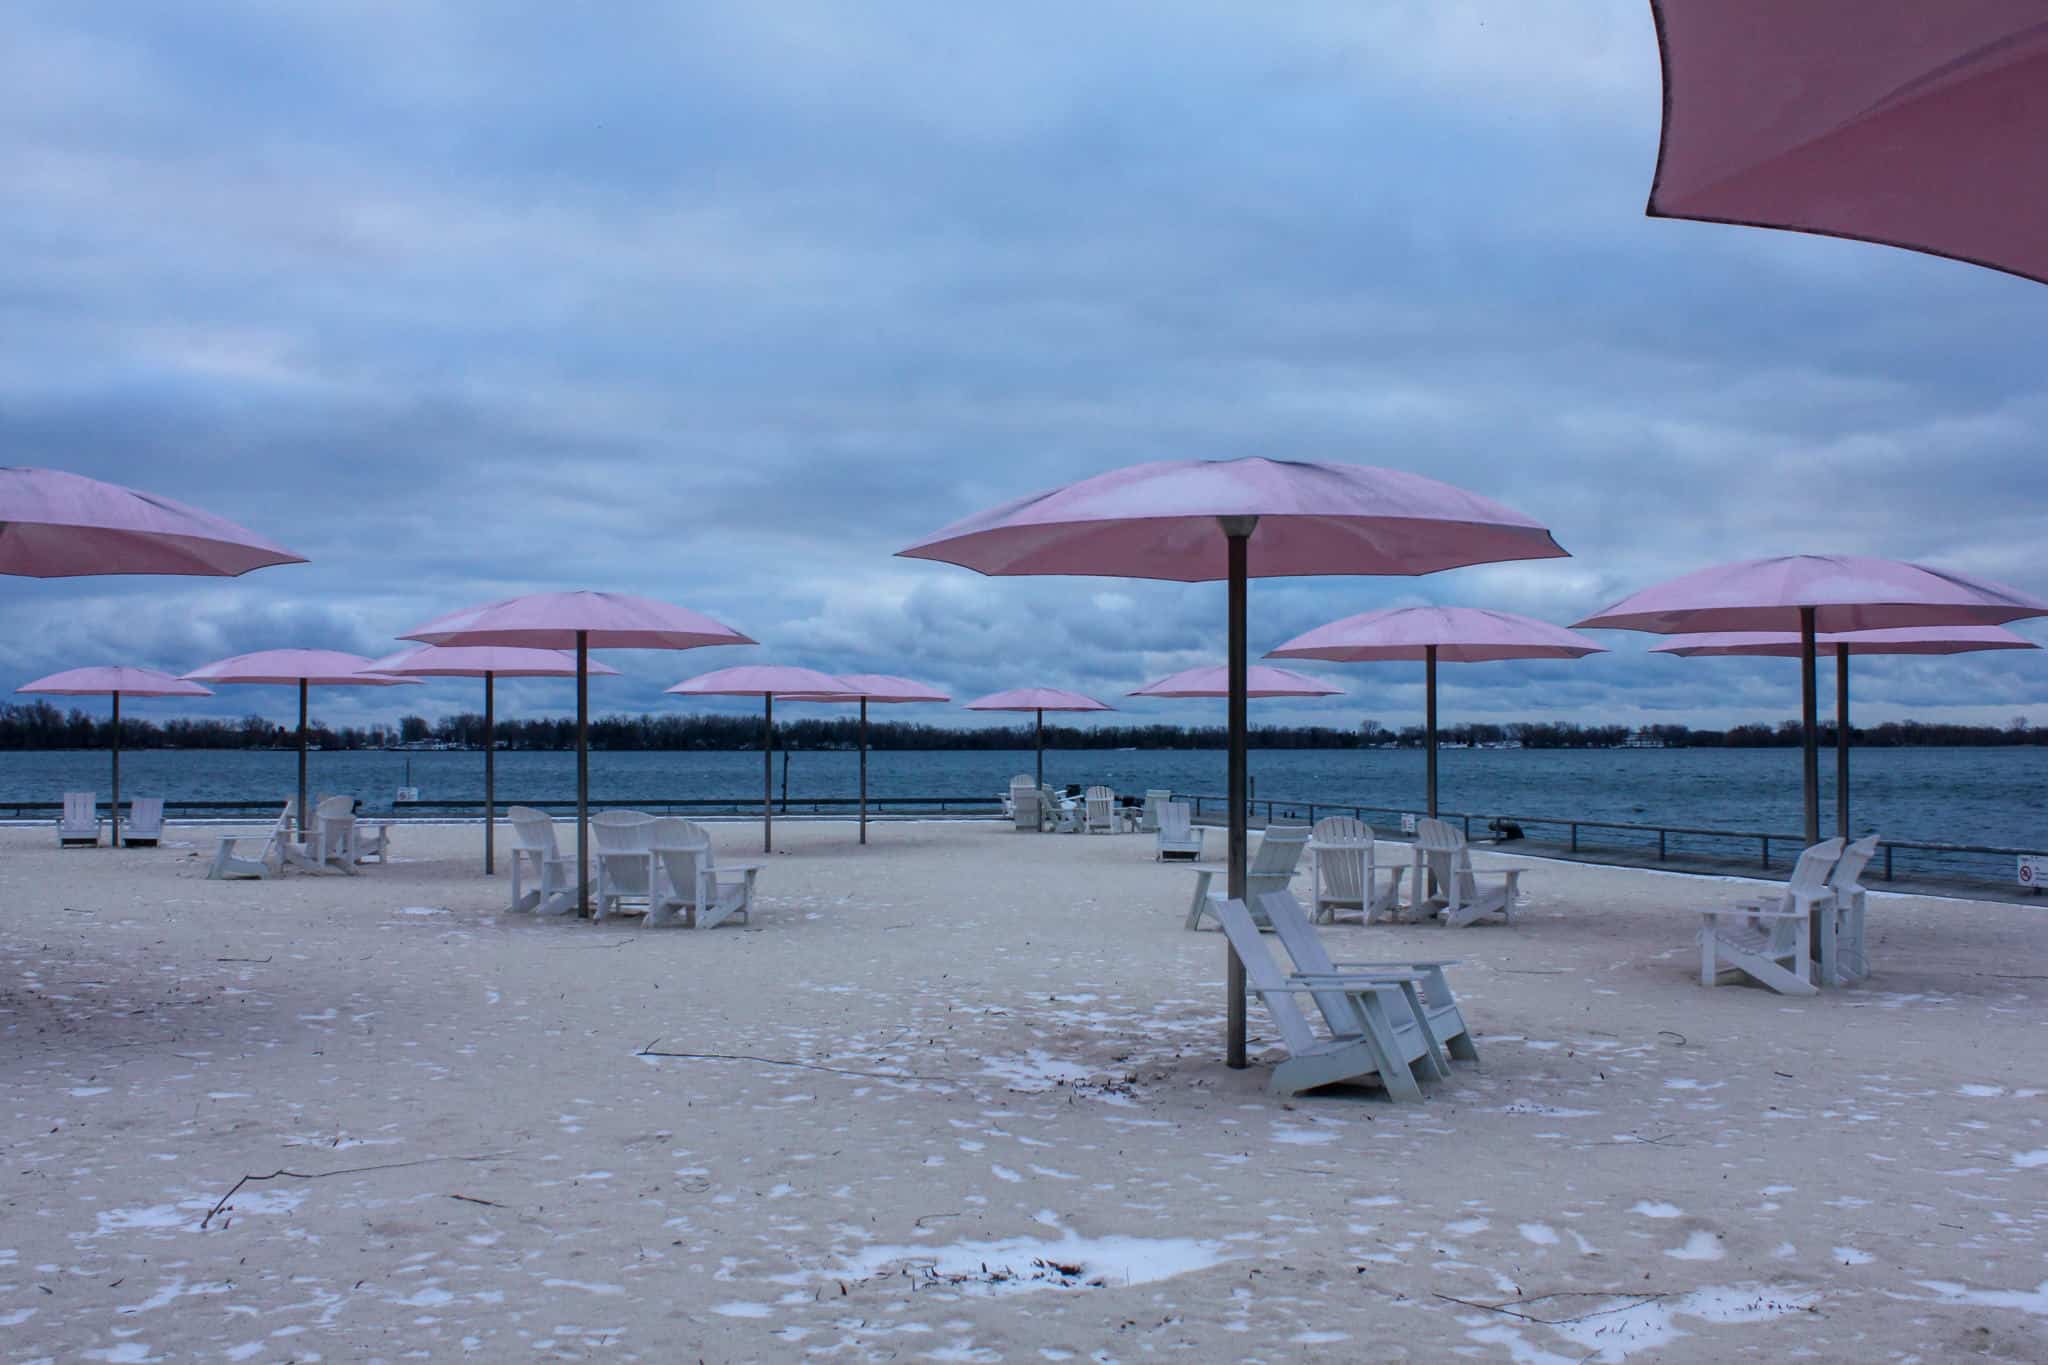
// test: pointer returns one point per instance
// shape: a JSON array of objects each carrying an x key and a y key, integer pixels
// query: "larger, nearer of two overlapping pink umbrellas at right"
[{"x": 1816, "y": 595}]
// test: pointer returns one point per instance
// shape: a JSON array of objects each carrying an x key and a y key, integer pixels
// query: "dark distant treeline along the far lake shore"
[{"x": 40, "y": 725}]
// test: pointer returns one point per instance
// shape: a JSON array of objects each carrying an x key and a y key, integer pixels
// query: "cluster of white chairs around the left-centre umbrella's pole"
[{"x": 656, "y": 867}]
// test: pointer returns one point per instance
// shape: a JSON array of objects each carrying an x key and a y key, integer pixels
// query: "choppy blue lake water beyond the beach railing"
[{"x": 1994, "y": 797}]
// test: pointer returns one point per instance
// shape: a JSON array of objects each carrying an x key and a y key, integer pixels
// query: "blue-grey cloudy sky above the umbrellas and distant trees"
[{"x": 724, "y": 304}]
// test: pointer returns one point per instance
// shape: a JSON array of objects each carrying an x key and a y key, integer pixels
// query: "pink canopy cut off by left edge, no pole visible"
[{"x": 58, "y": 525}]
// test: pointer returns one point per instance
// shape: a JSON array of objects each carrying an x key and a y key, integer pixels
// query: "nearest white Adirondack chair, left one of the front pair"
[{"x": 1373, "y": 1026}]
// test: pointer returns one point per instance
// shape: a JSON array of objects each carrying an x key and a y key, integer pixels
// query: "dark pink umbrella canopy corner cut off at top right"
[{"x": 1897, "y": 122}]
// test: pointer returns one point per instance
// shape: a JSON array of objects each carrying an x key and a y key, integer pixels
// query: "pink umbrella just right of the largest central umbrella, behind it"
[{"x": 1437, "y": 635}]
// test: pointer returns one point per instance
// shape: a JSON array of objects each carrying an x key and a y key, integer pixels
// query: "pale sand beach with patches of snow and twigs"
[{"x": 959, "y": 1098}]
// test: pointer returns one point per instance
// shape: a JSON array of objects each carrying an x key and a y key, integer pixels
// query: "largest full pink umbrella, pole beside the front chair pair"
[{"x": 1203, "y": 521}]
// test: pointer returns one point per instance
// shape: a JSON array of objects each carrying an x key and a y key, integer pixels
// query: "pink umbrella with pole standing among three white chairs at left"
[{"x": 581, "y": 621}]
